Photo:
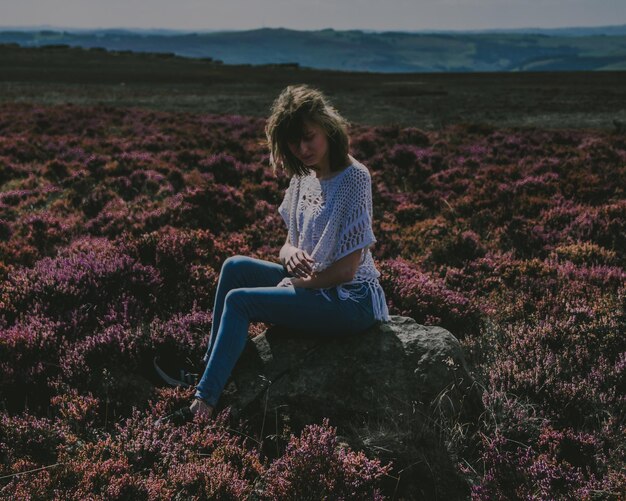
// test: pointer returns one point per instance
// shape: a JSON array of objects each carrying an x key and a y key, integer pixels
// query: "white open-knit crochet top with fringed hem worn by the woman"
[{"x": 329, "y": 219}]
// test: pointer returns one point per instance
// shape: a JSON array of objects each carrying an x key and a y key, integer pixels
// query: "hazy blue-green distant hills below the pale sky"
[{"x": 566, "y": 49}]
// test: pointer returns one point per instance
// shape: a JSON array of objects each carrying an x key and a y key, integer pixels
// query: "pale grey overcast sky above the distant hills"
[{"x": 312, "y": 14}]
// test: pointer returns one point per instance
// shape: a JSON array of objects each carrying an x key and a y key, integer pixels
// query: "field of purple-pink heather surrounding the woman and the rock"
[{"x": 114, "y": 224}]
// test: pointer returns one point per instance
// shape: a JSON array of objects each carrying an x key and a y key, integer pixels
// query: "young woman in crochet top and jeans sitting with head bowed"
[{"x": 327, "y": 283}]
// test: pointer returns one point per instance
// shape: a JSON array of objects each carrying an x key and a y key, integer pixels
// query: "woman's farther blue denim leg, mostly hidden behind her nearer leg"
[{"x": 241, "y": 271}]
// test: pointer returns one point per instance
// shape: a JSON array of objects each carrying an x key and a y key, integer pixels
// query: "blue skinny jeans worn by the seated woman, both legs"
[{"x": 247, "y": 292}]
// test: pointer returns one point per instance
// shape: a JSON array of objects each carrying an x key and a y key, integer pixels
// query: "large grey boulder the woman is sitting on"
[{"x": 399, "y": 391}]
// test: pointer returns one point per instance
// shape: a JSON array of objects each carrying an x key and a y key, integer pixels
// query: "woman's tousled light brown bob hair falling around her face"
[{"x": 295, "y": 105}]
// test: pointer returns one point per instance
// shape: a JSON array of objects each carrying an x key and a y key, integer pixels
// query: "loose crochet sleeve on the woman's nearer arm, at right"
[{"x": 353, "y": 215}]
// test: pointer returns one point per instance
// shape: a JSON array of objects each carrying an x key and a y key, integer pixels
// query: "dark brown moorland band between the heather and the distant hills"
[{"x": 165, "y": 82}]
